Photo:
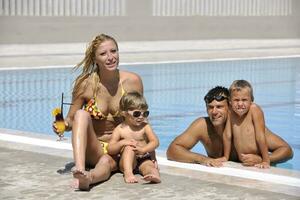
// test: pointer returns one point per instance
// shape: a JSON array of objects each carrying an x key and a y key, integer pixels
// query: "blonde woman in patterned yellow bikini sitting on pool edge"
[{"x": 94, "y": 112}]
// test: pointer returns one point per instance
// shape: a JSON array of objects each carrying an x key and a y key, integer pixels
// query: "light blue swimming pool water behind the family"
[{"x": 174, "y": 93}]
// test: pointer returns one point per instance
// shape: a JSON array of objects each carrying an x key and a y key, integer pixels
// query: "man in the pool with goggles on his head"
[{"x": 209, "y": 131}]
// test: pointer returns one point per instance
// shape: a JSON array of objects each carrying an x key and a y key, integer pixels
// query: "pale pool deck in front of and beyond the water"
[{"x": 37, "y": 166}]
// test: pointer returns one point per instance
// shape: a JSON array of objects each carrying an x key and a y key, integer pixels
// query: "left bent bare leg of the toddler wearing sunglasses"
[{"x": 127, "y": 163}]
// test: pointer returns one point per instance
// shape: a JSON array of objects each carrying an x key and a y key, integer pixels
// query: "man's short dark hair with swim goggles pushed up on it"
[{"x": 218, "y": 93}]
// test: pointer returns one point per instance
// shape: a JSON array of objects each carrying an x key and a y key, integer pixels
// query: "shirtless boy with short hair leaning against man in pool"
[{"x": 246, "y": 124}]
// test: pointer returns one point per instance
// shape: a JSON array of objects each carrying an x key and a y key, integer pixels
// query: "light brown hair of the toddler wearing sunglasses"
[{"x": 132, "y": 101}]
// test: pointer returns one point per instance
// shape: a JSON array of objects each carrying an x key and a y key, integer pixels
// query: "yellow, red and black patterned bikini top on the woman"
[{"x": 94, "y": 110}]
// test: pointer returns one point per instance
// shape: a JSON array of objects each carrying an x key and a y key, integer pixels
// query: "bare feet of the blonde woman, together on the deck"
[{"x": 83, "y": 177}]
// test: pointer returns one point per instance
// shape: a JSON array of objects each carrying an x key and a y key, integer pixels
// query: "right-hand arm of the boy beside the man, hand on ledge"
[{"x": 259, "y": 126}]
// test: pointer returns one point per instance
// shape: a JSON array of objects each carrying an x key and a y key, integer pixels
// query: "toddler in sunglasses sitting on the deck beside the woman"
[{"x": 134, "y": 138}]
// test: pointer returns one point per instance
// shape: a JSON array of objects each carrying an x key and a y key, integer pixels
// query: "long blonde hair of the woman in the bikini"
[{"x": 89, "y": 67}]
